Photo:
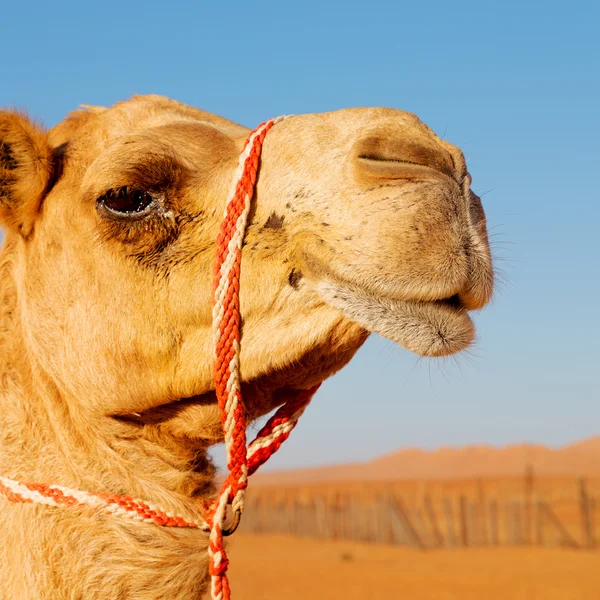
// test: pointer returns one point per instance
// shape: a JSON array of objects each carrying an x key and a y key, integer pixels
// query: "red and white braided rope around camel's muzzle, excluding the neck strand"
[{"x": 241, "y": 461}]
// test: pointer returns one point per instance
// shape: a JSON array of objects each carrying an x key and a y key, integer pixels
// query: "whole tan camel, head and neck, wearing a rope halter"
[{"x": 363, "y": 221}]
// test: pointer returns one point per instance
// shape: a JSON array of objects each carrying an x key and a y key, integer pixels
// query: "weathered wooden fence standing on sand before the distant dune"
[{"x": 450, "y": 521}]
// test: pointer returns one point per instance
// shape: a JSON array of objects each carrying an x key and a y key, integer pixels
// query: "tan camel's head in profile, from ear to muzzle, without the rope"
[{"x": 363, "y": 221}]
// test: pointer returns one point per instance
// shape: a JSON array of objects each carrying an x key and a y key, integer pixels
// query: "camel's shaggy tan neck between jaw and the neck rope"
[{"x": 46, "y": 437}]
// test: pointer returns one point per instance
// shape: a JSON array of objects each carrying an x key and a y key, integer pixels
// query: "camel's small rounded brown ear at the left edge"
[{"x": 26, "y": 170}]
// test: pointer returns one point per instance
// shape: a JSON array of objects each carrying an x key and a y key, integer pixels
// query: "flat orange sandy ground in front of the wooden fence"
[{"x": 276, "y": 567}]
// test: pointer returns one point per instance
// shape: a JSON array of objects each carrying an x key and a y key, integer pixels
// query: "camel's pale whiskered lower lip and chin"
[{"x": 434, "y": 328}]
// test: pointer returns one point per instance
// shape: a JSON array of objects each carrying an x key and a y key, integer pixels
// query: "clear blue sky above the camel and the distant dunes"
[{"x": 514, "y": 84}]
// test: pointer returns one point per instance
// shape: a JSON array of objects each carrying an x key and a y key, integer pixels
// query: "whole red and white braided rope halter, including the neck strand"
[{"x": 242, "y": 460}]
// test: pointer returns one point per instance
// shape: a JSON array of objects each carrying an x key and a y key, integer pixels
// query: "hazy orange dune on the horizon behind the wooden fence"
[{"x": 581, "y": 458}]
